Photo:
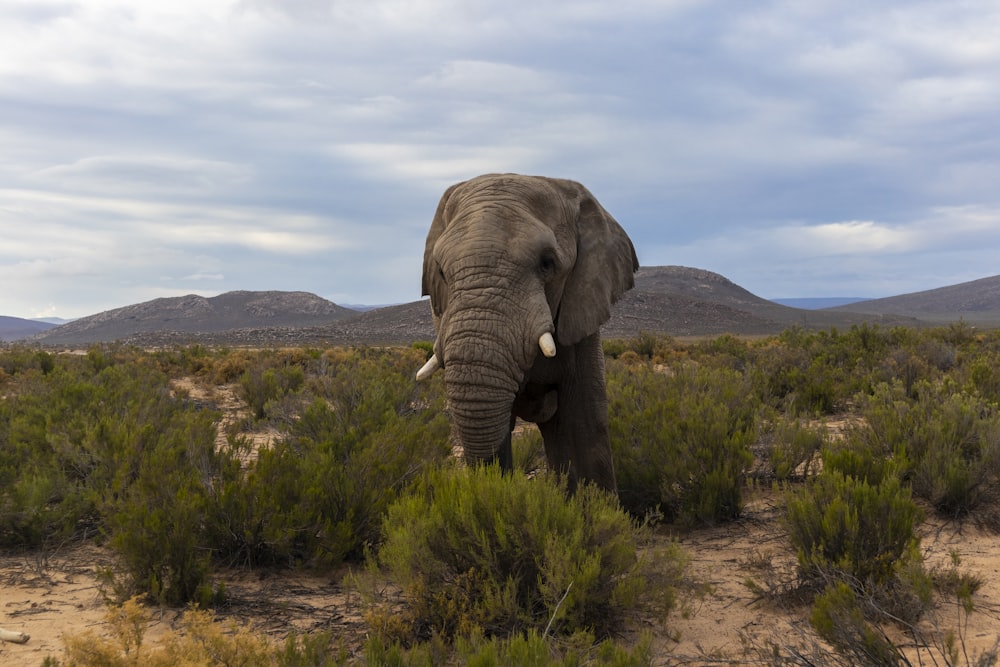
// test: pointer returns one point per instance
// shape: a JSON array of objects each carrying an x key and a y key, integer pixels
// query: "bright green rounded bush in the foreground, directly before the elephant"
[{"x": 476, "y": 550}]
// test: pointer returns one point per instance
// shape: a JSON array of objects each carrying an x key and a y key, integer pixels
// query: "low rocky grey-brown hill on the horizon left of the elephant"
[{"x": 192, "y": 315}]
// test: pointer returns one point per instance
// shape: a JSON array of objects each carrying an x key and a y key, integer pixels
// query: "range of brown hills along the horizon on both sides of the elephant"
[{"x": 674, "y": 300}]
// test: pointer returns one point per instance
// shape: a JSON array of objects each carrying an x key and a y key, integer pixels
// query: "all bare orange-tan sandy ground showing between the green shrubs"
[{"x": 736, "y": 601}]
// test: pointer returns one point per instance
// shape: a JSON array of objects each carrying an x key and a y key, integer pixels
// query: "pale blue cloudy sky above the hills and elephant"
[{"x": 805, "y": 148}]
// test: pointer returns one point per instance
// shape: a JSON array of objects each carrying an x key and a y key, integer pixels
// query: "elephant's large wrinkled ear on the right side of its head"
[{"x": 605, "y": 264}]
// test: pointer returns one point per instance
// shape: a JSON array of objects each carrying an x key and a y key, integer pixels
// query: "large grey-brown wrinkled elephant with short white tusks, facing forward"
[{"x": 522, "y": 271}]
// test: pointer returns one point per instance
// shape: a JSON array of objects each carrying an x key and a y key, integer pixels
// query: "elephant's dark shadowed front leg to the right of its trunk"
[{"x": 577, "y": 442}]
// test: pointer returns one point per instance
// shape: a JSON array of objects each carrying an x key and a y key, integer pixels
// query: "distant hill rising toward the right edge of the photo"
[{"x": 976, "y": 302}]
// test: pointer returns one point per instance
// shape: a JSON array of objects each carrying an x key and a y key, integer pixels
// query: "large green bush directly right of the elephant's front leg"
[{"x": 681, "y": 439}]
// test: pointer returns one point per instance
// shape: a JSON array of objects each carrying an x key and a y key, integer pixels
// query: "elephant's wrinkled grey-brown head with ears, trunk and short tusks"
[{"x": 515, "y": 266}]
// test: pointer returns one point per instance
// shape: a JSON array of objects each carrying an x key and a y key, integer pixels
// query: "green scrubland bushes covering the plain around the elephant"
[{"x": 110, "y": 446}]
